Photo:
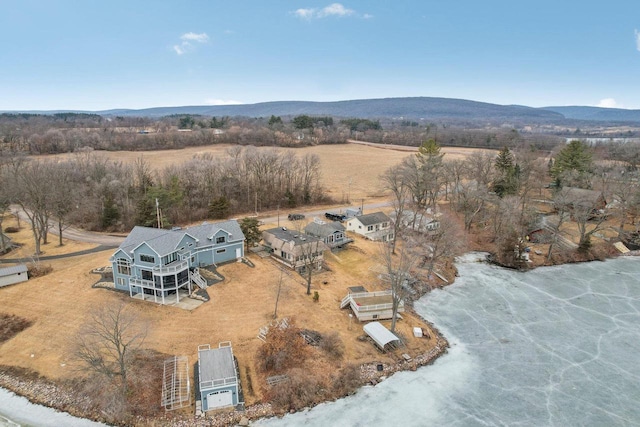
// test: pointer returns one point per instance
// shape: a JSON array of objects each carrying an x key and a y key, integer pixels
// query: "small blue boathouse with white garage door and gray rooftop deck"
[{"x": 218, "y": 378}]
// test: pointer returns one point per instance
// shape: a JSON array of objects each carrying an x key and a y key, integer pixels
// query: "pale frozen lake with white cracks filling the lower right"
[{"x": 559, "y": 346}]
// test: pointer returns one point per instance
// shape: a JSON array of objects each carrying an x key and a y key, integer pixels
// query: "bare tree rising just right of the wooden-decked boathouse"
[{"x": 399, "y": 268}]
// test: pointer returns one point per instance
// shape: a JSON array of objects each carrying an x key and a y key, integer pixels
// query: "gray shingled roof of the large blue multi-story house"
[{"x": 164, "y": 242}]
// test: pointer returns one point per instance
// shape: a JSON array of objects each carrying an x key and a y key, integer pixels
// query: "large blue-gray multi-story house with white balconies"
[{"x": 157, "y": 264}]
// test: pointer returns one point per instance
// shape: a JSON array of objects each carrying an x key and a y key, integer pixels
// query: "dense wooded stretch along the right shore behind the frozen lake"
[{"x": 498, "y": 197}]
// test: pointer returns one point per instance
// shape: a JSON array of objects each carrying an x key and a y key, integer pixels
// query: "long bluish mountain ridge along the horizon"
[{"x": 409, "y": 108}]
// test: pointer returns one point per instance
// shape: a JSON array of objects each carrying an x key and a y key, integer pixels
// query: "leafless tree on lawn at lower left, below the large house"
[{"x": 108, "y": 340}]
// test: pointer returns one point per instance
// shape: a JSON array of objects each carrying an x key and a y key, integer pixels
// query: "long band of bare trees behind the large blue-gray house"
[{"x": 99, "y": 194}]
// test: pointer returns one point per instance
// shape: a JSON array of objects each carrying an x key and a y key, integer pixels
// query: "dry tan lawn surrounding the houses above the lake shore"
[{"x": 59, "y": 303}]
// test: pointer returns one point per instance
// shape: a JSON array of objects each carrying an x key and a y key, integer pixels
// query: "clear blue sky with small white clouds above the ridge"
[{"x": 96, "y": 55}]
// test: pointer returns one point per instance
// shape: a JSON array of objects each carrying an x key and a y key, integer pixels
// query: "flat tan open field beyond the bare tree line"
[{"x": 349, "y": 171}]
